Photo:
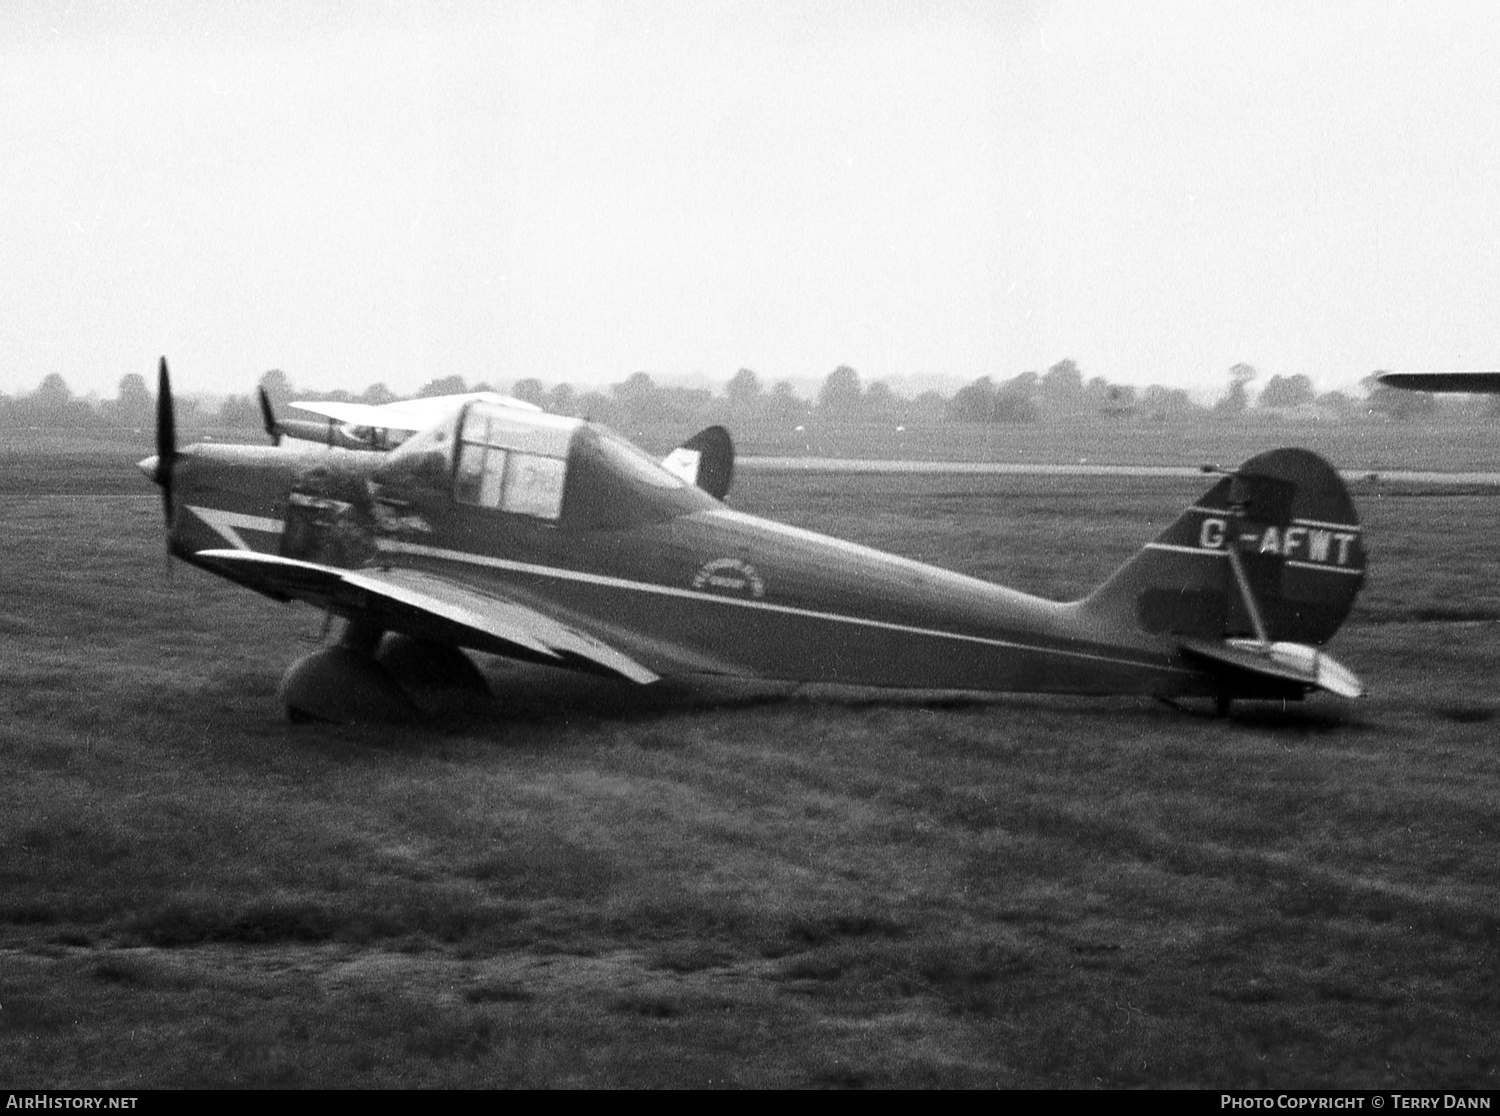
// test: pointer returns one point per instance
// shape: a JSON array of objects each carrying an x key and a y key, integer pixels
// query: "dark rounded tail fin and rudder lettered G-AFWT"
[{"x": 1291, "y": 523}]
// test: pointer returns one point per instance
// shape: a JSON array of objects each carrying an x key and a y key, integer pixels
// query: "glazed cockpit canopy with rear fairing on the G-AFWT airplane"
[{"x": 542, "y": 467}]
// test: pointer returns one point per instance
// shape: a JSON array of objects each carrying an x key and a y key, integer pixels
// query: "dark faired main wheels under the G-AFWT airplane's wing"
[{"x": 365, "y": 679}]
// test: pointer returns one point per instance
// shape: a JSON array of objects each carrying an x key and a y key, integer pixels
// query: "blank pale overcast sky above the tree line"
[{"x": 361, "y": 193}]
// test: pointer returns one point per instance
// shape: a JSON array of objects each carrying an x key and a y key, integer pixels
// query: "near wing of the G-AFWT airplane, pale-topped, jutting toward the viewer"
[{"x": 430, "y": 607}]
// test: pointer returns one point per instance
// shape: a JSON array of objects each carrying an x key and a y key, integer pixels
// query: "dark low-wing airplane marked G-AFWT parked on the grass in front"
[{"x": 554, "y": 541}]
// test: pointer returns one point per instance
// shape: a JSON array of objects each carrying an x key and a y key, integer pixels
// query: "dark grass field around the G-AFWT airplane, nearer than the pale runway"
[{"x": 719, "y": 884}]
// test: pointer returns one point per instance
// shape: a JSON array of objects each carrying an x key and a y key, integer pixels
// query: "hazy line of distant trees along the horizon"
[{"x": 1061, "y": 394}]
